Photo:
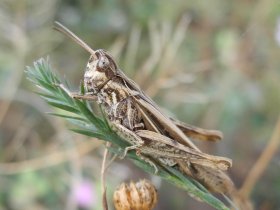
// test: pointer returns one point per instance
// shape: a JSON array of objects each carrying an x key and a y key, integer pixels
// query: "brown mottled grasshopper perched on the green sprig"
[{"x": 138, "y": 120}]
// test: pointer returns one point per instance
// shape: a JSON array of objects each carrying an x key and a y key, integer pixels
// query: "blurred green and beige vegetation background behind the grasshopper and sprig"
[{"x": 214, "y": 64}]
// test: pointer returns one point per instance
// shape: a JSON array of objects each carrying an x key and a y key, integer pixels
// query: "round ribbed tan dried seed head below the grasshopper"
[{"x": 137, "y": 196}]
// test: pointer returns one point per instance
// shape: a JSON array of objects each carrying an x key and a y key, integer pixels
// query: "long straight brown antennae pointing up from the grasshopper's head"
[{"x": 62, "y": 29}]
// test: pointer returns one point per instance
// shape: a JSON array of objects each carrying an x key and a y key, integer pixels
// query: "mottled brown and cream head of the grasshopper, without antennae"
[{"x": 100, "y": 69}]
